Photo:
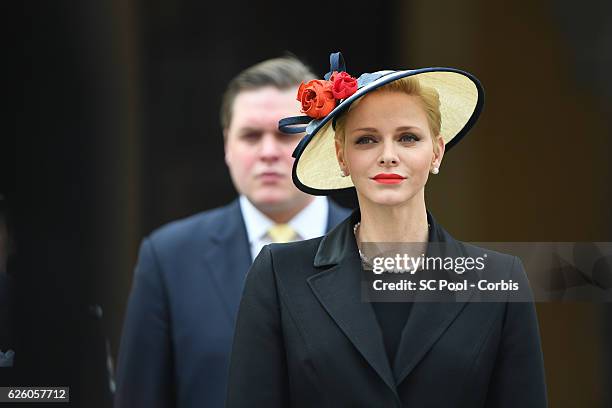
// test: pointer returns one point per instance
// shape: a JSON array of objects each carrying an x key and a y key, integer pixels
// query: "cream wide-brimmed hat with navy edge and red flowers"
[{"x": 316, "y": 170}]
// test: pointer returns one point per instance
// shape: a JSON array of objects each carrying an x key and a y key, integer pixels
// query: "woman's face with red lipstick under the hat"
[{"x": 388, "y": 148}]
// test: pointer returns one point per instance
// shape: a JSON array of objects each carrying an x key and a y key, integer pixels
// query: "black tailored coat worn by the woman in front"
[{"x": 304, "y": 338}]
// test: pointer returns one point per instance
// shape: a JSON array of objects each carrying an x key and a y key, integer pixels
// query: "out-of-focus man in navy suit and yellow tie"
[{"x": 179, "y": 325}]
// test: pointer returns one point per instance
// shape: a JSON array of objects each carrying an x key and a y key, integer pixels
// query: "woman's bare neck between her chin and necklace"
[{"x": 403, "y": 223}]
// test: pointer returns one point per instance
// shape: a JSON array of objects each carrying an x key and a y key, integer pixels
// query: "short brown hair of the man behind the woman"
[{"x": 281, "y": 73}]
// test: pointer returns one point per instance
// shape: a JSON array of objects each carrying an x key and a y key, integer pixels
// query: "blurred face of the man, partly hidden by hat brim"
[{"x": 258, "y": 155}]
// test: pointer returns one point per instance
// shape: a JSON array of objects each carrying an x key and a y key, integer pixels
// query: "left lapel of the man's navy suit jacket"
[{"x": 228, "y": 256}]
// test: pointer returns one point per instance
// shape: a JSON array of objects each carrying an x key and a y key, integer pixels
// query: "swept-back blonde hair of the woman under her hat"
[{"x": 429, "y": 98}]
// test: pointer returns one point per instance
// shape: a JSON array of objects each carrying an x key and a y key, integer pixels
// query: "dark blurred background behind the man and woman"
[{"x": 117, "y": 132}]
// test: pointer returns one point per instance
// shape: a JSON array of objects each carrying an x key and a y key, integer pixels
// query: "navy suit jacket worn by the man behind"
[{"x": 179, "y": 324}]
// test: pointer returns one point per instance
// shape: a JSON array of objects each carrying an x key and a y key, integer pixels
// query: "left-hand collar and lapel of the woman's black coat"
[{"x": 338, "y": 289}]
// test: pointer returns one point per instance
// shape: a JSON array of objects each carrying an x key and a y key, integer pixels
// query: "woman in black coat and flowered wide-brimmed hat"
[{"x": 305, "y": 338}]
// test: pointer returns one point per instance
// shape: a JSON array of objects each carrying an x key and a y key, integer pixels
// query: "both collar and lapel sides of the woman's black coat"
[{"x": 338, "y": 288}]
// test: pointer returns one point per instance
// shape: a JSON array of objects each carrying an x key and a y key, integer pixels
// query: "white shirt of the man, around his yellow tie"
[{"x": 309, "y": 223}]
